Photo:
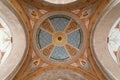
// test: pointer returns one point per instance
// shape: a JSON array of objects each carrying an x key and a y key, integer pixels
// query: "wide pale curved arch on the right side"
[{"x": 99, "y": 39}]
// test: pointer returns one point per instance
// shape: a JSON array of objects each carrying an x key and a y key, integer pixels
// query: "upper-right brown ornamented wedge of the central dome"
[{"x": 73, "y": 26}]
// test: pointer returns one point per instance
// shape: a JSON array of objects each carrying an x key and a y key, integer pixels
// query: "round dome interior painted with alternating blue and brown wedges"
[{"x": 59, "y": 37}]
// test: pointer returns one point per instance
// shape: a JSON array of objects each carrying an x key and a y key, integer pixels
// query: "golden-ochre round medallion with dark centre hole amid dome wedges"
[{"x": 59, "y": 39}]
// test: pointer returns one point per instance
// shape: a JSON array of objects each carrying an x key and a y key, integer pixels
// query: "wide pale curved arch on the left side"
[{"x": 20, "y": 41}]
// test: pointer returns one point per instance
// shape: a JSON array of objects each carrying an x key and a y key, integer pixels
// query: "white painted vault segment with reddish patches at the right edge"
[{"x": 114, "y": 42}]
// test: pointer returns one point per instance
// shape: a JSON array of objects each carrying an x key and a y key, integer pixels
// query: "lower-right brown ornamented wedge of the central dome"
[{"x": 71, "y": 50}]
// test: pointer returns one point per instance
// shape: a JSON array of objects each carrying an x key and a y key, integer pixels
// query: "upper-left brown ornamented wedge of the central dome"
[{"x": 47, "y": 26}]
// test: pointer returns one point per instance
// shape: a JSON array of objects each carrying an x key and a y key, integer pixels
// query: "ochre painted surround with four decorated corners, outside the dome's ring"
[{"x": 87, "y": 12}]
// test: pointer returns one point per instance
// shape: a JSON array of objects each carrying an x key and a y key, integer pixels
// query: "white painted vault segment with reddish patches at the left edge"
[{"x": 5, "y": 41}]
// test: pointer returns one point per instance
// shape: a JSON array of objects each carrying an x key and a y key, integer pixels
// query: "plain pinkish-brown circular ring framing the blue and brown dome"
[{"x": 42, "y": 19}]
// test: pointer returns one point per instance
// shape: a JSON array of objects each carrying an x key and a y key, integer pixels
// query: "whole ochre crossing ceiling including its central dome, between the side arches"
[{"x": 59, "y": 38}]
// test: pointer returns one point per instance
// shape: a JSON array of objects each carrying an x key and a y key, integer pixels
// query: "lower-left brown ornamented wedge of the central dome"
[{"x": 48, "y": 50}]
